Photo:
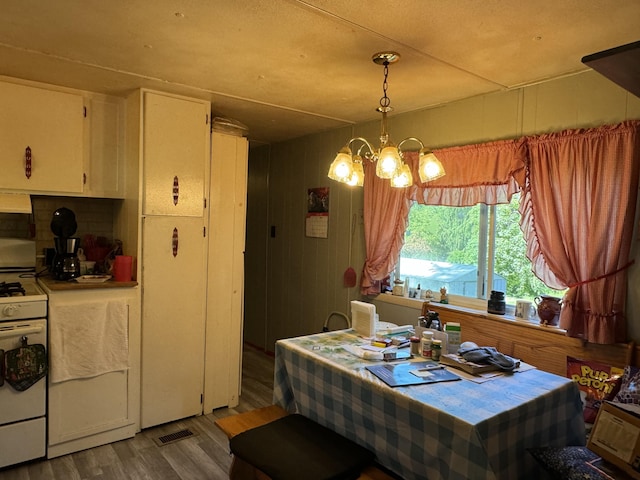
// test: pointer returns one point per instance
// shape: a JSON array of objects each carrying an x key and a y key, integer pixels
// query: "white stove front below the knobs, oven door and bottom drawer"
[{"x": 22, "y": 414}]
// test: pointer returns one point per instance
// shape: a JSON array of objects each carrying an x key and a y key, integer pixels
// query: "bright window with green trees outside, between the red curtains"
[{"x": 470, "y": 251}]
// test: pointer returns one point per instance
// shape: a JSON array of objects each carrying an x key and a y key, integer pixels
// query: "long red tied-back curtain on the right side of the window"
[{"x": 578, "y": 209}]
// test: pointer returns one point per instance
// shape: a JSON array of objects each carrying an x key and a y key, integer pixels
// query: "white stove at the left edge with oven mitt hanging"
[{"x": 23, "y": 322}]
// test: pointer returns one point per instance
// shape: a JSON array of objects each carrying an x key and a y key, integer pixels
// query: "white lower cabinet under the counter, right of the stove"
[{"x": 88, "y": 412}]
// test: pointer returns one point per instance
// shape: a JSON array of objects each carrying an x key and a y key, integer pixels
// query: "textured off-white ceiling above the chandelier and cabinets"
[{"x": 286, "y": 68}]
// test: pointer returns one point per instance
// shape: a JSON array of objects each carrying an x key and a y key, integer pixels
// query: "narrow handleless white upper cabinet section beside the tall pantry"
[{"x": 104, "y": 169}]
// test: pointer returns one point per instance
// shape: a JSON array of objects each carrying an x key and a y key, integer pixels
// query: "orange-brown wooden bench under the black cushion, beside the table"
[{"x": 236, "y": 424}]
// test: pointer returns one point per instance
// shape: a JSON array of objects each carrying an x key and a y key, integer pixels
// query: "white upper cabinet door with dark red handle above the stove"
[{"x": 50, "y": 123}]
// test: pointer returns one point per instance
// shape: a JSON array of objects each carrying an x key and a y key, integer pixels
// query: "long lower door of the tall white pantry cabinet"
[{"x": 173, "y": 329}]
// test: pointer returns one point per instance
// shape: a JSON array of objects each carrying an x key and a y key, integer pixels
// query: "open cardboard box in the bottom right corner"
[{"x": 616, "y": 437}]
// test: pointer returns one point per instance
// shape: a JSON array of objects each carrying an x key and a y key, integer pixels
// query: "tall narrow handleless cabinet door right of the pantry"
[{"x": 227, "y": 220}]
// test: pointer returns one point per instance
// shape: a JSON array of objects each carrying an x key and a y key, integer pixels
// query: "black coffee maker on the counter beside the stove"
[{"x": 66, "y": 265}]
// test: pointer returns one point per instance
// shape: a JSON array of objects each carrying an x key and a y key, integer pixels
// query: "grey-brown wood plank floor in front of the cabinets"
[{"x": 205, "y": 455}]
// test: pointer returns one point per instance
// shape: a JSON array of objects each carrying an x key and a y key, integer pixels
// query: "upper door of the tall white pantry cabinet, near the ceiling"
[{"x": 175, "y": 154}]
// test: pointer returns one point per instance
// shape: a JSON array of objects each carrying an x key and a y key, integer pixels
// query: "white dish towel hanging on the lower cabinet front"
[{"x": 88, "y": 339}]
